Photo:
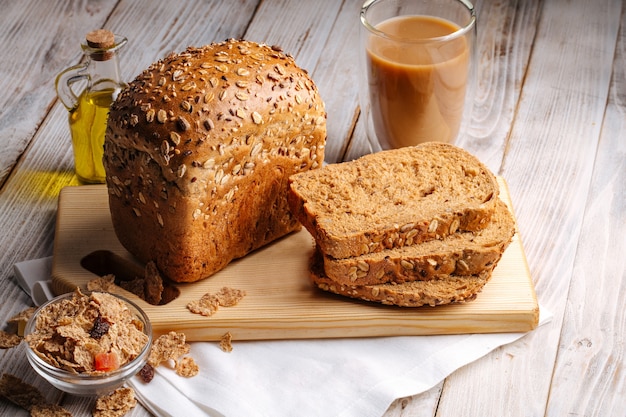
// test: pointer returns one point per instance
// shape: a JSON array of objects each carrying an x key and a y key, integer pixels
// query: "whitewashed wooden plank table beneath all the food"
[{"x": 549, "y": 114}]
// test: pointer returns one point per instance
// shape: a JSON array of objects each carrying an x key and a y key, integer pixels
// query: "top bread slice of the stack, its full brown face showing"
[{"x": 393, "y": 198}]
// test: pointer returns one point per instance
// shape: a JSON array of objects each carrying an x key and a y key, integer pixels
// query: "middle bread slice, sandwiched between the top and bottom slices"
[{"x": 461, "y": 254}]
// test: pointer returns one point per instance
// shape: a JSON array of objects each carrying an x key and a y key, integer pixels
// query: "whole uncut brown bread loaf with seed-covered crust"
[{"x": 198, "y": 152}]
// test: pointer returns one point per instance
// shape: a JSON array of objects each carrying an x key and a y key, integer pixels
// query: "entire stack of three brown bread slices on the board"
[{"x": 415, "y": 226}]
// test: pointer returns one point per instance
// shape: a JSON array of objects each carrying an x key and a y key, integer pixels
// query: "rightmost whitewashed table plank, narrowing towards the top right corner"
[{"x": 591, "y": 345}]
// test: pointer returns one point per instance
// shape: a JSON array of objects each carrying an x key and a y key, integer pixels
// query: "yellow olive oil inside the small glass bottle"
[{"x": 87, "y": 125}]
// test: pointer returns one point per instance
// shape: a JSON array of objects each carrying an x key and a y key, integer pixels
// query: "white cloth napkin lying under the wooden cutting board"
[{"x": 334, "y": 377}]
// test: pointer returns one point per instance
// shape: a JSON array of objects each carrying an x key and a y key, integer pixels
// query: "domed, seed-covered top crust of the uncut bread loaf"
[{"x": 188, "y": 107}]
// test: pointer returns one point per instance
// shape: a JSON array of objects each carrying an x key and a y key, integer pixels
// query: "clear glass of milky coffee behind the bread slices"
[{"x": 417, "y": 57}]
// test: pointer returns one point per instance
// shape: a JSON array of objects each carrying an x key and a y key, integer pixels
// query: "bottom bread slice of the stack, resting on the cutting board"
[{"x": 445, "y": 290}]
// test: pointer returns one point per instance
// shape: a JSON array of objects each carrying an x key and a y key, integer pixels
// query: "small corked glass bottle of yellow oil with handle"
[{"x": 99, "y": 78}]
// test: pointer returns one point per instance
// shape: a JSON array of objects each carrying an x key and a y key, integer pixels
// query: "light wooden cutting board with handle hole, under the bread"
[{"x": 281, "y": 303}]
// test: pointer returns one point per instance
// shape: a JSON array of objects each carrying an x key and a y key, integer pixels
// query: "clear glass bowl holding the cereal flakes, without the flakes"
[{"x": 84, "y": 383}]
